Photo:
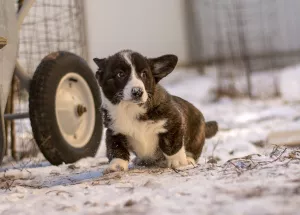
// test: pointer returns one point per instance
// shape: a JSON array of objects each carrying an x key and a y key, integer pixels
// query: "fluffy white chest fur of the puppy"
[{"x": 142, "y": 135}]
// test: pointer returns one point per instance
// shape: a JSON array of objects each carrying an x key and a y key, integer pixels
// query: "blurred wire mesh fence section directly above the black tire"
[{"x": 52, "y": 25}]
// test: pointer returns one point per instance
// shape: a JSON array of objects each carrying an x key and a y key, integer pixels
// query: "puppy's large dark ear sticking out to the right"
[{"x": 163, "y": 66}]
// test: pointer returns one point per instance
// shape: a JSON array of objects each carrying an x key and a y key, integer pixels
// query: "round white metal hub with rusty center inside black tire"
[{"x": 75, "y": 110}]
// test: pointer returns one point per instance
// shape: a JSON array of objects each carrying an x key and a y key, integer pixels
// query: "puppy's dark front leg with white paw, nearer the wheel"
[{"x": 116, "y": 152}]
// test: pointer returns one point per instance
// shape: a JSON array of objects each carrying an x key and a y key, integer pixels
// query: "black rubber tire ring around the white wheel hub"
[{"x": 42, "y": 108}]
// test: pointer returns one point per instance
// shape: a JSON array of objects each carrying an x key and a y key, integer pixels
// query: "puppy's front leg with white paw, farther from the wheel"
[{"x": 173, "y": 148}]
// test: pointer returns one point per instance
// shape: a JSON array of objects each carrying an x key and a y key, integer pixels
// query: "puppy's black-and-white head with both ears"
[{"x": 129, "y": 76}]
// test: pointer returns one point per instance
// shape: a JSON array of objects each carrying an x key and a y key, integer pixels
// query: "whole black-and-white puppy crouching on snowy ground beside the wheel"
[{"x": 142, "y": 117}]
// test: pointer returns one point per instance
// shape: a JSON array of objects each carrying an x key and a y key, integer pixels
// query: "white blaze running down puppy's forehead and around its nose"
[{"x": 133, "y": 81}]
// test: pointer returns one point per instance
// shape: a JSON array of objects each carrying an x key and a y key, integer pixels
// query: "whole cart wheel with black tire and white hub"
[{"x": 64, "y": 108}]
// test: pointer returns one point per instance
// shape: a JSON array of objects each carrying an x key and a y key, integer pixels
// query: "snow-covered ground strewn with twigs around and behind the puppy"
[{"x": 238, "y": 173}]
